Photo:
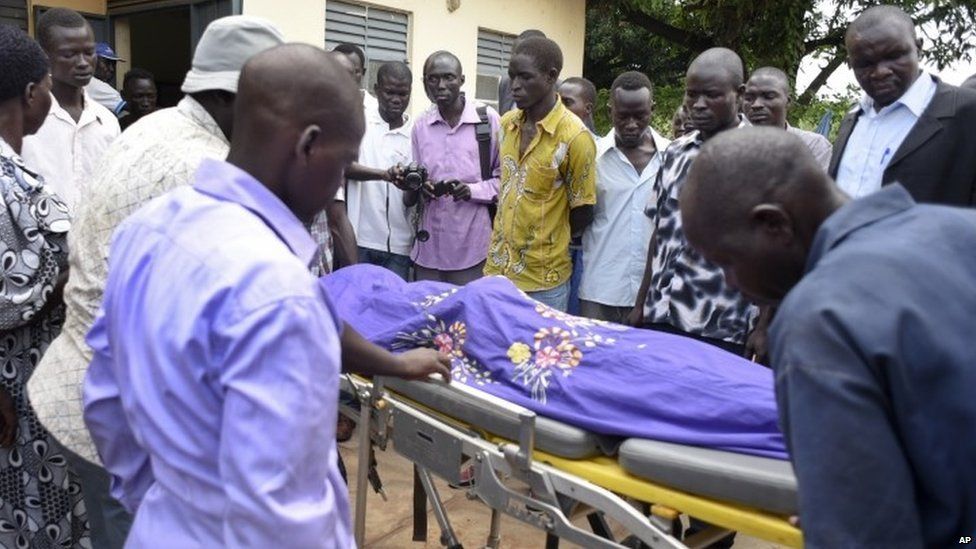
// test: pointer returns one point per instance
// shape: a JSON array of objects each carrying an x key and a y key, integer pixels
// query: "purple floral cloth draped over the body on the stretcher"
[{"x": 602, "y": 377}]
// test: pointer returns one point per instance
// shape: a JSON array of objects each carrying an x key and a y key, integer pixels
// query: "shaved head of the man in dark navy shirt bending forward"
[{"x": 752, "y": 202}]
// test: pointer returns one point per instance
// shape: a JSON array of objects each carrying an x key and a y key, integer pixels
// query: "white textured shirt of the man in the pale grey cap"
[{"x": 160, "y": 153}]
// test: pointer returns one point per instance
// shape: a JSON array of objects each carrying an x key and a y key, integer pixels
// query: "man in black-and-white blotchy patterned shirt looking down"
[{"x": 681, "y": 291}]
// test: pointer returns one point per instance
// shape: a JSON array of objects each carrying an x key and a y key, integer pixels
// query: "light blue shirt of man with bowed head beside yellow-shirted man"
[{"x": 615, "y": 244}]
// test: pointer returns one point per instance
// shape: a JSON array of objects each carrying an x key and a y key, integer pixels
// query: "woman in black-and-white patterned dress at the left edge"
[{"x": 40, "y": 498}]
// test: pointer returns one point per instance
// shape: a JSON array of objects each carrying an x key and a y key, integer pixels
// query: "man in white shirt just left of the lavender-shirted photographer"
[{"x": 376, "y": 210}]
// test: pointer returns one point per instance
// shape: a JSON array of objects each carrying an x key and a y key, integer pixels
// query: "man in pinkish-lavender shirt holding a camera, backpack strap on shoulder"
[{"x": 455, "y": 216}]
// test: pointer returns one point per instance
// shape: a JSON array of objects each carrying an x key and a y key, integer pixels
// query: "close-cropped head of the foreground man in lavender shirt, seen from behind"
[{"x": 297, "y": 143}]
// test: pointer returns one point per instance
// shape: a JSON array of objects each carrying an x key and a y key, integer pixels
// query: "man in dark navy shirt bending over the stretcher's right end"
[{"x": 873, "y": 342}]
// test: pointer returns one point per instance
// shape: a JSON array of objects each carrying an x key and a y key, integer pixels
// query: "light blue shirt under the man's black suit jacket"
[{"x": 878, "y": 135}]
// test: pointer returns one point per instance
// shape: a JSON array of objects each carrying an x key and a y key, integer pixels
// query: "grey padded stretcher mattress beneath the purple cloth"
[{"x": 763, "y": 483}]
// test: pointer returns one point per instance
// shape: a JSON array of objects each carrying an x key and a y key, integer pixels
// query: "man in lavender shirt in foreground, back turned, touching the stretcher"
[{"x": 212, "y": 393}]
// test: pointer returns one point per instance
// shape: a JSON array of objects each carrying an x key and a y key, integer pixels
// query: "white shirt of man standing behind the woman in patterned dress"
[{"x": 66, "y": 152}]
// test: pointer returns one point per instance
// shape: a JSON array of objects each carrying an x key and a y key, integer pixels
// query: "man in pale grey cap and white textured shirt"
[{"x": 159, "y": 154}]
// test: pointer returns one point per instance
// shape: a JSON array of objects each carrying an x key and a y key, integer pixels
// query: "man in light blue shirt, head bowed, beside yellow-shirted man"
[{"x": 615, "y": 244}]
